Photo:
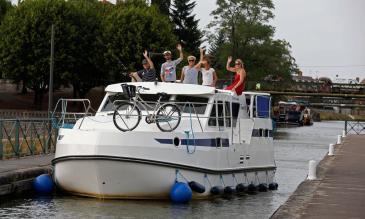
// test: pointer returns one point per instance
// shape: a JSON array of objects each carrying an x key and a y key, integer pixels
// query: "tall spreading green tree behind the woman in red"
[{"x": 250, "y": 37}]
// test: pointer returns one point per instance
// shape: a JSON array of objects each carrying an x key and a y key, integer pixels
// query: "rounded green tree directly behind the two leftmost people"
[{"x": 129, "y": 31}]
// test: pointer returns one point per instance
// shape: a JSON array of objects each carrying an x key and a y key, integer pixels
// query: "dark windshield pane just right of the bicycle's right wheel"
[{"x": 197, "y": 104}]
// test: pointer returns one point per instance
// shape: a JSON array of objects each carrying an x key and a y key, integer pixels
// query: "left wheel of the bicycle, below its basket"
[{"x": 126, "y": 116}]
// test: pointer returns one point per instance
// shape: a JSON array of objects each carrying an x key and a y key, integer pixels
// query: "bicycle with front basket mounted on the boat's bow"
[{"x": 127, "y": 115}]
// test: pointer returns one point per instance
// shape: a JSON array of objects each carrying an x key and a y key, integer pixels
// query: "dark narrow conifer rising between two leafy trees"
[{"x": 186, "y": 27}]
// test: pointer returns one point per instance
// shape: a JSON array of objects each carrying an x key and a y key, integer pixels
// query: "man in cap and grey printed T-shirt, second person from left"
[{"x": 168, "y": 69}]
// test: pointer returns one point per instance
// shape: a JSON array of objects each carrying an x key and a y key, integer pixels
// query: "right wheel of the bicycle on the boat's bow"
[{"x": 168, "y": 117}]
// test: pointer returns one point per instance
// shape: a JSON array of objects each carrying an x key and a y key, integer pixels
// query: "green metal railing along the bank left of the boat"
[{"x": 24, "y": 137}]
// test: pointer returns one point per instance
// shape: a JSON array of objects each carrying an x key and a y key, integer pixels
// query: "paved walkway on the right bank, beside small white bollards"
[{"x": 339, "y": 191}]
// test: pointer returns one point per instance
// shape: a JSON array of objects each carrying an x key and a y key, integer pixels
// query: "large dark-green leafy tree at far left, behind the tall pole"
[{"x": 25, "y": 44}]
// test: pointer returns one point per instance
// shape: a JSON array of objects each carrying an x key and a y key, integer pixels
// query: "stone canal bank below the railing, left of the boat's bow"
[{"x": 17, "y": 175}]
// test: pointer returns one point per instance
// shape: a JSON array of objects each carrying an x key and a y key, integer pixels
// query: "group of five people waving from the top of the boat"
[{"x": 190, "y": 72}]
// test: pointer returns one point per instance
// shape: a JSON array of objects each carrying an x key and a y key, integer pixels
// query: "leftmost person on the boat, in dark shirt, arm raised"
[{"x": 148, "y": 73}]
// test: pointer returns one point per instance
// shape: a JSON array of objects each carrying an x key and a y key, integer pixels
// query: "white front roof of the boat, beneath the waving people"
[{"x": 169, "y": 88}]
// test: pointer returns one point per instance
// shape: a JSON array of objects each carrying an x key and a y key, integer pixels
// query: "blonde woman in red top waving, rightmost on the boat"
[{"x": 239, "y": 81}]
